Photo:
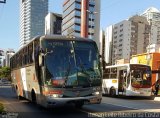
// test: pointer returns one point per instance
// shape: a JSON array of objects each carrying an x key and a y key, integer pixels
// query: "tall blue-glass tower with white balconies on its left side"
[{"x": 32, "y": 19}]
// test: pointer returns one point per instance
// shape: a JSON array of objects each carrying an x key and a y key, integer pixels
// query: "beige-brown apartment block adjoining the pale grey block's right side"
[{"x": 140, "y": 38}]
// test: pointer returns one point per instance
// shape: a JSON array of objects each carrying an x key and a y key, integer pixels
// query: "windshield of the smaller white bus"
[{"x": 140, "y": 76}]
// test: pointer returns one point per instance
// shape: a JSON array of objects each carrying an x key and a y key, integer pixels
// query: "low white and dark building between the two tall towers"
[{"x": 53, "y": 24}]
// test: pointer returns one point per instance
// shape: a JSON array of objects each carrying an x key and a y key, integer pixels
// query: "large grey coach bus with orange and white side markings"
[{"x": 54, "y": 70}]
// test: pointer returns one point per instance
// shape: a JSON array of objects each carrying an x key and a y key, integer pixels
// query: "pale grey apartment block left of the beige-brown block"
[{"x": 121, "y": 41}]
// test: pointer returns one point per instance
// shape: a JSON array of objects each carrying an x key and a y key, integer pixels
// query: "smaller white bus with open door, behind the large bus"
[{"x": 127, "y": 80}]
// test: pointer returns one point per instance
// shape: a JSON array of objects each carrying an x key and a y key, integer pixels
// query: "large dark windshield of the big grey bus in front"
[{"x": 71, "y": 63}]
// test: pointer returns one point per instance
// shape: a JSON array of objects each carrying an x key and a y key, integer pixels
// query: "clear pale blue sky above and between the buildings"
[{"x": 112, "y": 12}]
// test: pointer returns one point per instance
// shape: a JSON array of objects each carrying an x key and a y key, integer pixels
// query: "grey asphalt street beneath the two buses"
[{"x": 110, "y": 107}]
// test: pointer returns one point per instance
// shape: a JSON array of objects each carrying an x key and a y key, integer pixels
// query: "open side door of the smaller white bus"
[{"x": 122, "y": 81}]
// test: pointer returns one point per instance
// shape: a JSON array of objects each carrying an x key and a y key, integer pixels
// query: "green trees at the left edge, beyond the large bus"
[{"x": 5, "y": 72}]
